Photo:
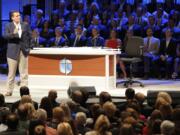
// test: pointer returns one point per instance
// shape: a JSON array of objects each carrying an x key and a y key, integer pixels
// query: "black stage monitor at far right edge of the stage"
[{"x": 152, "y": 95}]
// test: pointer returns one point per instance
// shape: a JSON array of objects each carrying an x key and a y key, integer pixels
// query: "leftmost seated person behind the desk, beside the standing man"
[{"x": 37, "y": 41}]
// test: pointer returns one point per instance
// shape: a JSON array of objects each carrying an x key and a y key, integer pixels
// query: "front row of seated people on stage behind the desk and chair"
[{"x": 157, "y": 53}]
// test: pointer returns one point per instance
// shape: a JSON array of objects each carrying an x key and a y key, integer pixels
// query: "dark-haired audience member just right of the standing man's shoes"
[{"x": 23, "y": 91}]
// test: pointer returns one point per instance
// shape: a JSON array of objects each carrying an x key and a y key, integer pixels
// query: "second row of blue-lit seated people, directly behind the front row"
[{"x": 121, "y": 23}]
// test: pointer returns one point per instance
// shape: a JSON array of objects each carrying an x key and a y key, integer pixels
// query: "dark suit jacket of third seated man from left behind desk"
[{"x": 82, "y": 41}]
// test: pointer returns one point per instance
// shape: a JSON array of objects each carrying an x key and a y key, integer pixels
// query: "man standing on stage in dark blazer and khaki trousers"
[{"x": 18, "y": 35}]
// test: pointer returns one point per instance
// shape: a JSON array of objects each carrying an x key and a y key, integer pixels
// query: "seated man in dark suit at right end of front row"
[{"x": 167, "y": 53}]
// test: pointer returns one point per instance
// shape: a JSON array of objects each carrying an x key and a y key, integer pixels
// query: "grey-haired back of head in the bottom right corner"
[{"x": 167, "y": 127}]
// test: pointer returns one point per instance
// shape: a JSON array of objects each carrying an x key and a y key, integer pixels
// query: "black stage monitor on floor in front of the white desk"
[{"x": 89, "y": 89}]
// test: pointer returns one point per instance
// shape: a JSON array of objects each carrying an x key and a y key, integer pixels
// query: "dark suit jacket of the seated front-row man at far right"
[{"x": 170, "y": 50}]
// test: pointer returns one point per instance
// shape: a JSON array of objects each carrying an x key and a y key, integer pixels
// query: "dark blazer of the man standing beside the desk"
[{"x": 15, "y": 44}]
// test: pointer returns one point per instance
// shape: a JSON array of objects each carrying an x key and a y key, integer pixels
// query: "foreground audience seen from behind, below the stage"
[{"x": 104, "y": 117}]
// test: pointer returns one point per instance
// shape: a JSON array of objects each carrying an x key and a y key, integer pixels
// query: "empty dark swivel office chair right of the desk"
[{"x": 133, "y": 54}]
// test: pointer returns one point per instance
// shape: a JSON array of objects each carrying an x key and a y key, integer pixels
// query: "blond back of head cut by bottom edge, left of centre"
[{"x": 64, "y": 128}]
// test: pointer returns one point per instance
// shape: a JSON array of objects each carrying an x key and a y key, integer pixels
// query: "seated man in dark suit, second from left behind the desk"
[{"x": 58, "y": 40}]
